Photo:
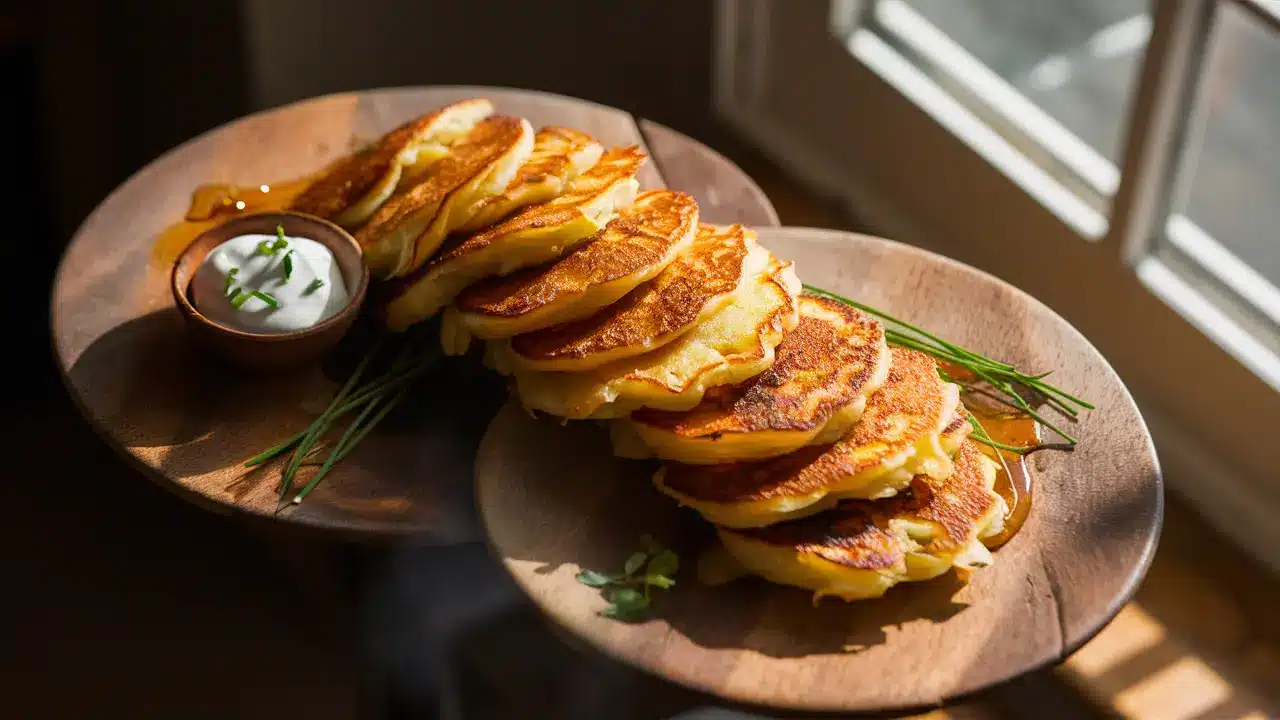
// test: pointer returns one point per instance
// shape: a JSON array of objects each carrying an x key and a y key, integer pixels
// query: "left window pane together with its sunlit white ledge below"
[{"x": 1053, "y": 79}]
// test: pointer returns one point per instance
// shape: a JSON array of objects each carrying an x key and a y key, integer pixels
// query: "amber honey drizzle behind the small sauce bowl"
[{"x": 213, "y": 206}]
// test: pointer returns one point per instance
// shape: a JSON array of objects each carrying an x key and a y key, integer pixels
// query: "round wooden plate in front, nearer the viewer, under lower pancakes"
[{"x": 554, "y": 500}]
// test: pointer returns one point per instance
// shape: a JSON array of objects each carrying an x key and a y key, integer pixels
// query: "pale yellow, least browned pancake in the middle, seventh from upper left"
[{"x": 732, "y": 347}]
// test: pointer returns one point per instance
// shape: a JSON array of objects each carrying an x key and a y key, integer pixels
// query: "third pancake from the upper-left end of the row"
[{"x": 559, "y": 157}]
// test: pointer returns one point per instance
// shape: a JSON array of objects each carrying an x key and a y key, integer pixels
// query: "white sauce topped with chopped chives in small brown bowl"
[{"x": 303, "y": 303}]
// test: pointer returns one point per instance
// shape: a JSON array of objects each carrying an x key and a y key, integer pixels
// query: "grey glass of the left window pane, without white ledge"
[{"x": 1076, "y": 60}]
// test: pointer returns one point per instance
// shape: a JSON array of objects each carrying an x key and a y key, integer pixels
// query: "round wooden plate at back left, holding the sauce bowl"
[{"x": 189, "y": 423}]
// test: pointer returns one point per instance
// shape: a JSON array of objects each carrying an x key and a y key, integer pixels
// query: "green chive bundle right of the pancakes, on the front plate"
[{"x": 1003, "y": 377}]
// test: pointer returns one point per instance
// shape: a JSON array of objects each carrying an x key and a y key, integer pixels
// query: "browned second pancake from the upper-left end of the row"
[{"x": 391, "y": 240}]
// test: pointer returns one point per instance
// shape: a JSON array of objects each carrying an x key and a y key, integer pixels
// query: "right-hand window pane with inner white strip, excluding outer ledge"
[{"x": 1227, "y": 216}]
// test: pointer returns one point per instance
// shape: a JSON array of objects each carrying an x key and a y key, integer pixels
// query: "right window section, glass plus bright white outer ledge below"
[{"x": 1223, "y": 233}]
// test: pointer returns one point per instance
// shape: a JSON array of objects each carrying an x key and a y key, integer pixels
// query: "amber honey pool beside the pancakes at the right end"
[{"x": 1014, "y": 479}]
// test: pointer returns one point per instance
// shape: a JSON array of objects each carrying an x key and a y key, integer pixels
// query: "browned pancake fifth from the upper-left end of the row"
[{"x": 634, "y": 248}]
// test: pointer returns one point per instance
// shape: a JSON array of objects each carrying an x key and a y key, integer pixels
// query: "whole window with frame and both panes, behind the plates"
[{"x": 1118, "y": 160}]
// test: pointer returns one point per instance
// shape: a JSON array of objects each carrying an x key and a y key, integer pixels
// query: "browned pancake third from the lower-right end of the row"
[{"x": 817, "y": 389}]
